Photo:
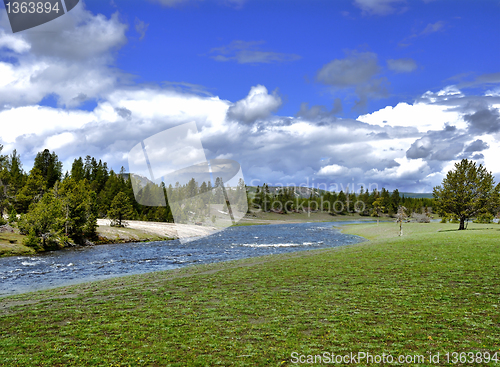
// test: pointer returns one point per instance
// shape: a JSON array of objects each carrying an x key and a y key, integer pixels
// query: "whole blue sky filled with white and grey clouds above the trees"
[{"x": 386, "y": 92}]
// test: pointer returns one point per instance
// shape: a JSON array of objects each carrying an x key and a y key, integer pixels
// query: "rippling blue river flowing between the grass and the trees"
[{"x": 20, "y": 274}]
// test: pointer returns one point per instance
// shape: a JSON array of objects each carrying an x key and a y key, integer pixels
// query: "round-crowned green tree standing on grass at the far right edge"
[{"x": 466, "y": 192}]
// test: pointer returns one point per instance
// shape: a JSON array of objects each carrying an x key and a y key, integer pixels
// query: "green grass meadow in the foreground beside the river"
[{"x": 433, "y": 290}]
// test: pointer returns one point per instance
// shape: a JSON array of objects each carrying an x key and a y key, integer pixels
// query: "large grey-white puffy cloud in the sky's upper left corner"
[{"x": 72, "y": 63}]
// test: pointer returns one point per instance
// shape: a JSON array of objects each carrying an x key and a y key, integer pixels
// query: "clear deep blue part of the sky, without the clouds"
[{"x": 444, "y": 42}]
